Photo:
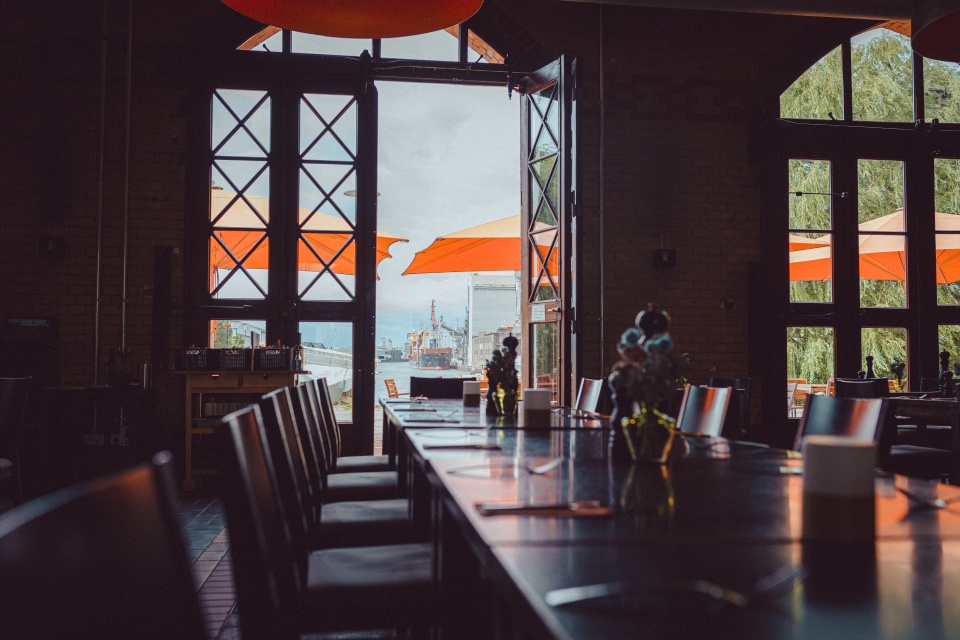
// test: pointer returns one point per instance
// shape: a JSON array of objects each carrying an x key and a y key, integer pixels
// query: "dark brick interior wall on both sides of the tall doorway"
[{"x": 683, "y": 92}]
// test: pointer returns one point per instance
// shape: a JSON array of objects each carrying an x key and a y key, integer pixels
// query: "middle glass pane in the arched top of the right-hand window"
[{"x": 882, "y": 76}]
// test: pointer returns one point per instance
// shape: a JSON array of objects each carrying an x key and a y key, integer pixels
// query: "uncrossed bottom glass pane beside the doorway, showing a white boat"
[{"x": 328, "y": 353}]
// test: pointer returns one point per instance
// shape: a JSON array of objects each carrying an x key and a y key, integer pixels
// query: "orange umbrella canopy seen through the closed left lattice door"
[{"x": 242, "y": 231}]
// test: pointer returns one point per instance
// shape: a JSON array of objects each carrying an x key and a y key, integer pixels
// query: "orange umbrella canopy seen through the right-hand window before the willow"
[{"x": 882, "y": 256}]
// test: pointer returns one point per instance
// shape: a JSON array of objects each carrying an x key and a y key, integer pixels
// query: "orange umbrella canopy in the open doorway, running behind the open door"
[{"x": 492, "y": 246}]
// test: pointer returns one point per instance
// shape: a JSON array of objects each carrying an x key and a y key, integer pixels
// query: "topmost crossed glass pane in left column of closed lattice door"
[{"x": 240, "y": 123}]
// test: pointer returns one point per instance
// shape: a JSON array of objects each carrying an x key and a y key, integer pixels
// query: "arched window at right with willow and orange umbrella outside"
[{"x": 871, "y": 212}]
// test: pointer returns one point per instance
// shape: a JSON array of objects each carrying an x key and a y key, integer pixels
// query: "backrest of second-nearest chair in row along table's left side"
[{"x": 289, "y": 466}]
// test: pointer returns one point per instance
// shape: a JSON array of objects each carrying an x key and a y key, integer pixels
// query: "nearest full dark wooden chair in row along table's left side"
[{"x": 282, "y": 593}]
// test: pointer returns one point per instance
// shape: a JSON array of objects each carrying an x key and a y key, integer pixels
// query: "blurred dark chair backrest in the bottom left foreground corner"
[{"x": 103, "y": 559}]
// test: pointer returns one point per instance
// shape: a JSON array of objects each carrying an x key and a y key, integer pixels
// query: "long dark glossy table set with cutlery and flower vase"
[{"x": 721, "y": 512}]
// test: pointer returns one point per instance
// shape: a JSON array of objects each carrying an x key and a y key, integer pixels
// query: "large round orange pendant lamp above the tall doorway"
[{"x": 358, "y": 18}]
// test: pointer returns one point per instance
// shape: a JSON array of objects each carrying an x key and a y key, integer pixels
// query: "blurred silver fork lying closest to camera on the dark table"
[{"x": 763, "y": 590}]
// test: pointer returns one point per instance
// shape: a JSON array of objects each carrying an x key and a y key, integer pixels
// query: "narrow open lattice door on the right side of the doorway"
[{"x": 547, "y": 198}]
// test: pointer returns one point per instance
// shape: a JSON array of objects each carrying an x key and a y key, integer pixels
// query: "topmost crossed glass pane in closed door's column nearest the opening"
[{"x": 328, "y": 127}]
